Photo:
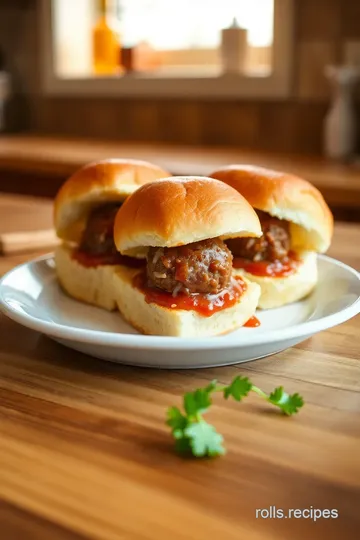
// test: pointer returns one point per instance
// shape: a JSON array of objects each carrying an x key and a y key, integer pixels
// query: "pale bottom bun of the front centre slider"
[{"x": 157, "y": 320}]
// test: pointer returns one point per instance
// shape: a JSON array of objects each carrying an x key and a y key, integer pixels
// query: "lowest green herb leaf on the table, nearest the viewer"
[{"x": 204, "y": 439}]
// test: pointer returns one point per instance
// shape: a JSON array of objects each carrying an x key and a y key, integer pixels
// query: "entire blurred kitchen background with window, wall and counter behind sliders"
[{"x": 190, "y": 85}]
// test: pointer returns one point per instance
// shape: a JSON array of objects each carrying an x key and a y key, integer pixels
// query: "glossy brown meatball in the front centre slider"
[{"x": 202, "y": 267}]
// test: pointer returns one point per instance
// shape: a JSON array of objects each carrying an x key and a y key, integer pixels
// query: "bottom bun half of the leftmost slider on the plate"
[{"x": 91, "y": 285}]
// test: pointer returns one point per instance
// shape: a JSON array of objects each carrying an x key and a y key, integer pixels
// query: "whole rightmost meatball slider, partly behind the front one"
[{"x": 296, "y": 224}]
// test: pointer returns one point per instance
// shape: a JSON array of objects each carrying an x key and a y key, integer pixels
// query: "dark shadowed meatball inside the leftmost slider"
[{"x": 98, "y": 236}]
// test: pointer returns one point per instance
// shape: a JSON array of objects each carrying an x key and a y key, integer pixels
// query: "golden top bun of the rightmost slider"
[{"x": 287, "y": 197}]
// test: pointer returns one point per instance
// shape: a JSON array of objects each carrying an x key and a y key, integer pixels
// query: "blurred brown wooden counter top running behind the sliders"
[{"x": 52, "y": 159}]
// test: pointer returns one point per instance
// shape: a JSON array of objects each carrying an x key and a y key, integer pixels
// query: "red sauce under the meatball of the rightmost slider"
[{"x": 279, "y": 269}]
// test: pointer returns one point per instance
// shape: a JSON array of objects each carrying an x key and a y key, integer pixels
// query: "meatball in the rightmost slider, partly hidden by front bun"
[{"x": 274, "y": 245}]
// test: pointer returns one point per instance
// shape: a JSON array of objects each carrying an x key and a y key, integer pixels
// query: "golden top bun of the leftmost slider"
[{"x": 110, "y": 180}]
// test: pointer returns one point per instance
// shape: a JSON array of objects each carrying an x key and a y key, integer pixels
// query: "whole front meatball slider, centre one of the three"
[{"x": 187, "y": 289}]
